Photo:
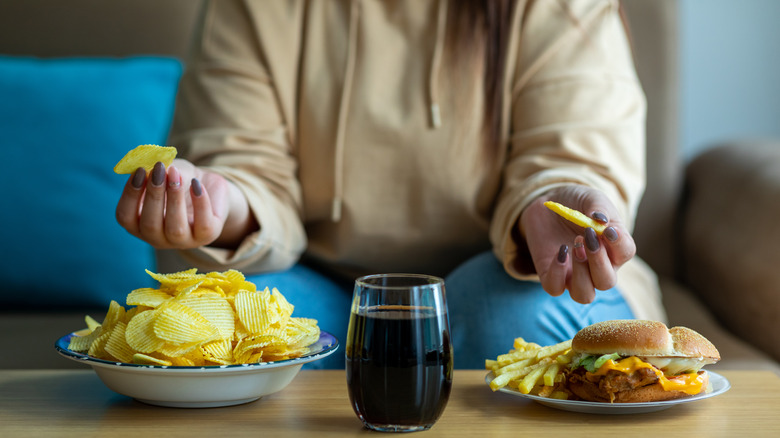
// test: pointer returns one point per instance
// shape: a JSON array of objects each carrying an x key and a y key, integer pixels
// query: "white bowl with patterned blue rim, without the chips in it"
[{"x": 199, "y": 387}]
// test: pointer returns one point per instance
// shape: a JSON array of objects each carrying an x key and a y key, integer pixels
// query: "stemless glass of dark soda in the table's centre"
[{"x": 398, "y": 352}]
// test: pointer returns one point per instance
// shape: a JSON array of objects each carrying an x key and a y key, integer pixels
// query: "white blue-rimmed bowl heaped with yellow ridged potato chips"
[{"x": 199, "y": 340}]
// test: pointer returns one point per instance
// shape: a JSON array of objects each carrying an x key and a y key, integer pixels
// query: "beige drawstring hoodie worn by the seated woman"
[{"x": 356, "y": 145}]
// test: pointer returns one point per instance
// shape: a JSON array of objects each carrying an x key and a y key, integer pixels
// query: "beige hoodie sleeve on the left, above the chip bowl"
[{"x": 234, "y": 116}]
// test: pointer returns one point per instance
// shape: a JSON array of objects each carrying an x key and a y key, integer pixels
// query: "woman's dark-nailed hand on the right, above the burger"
[{"x": 567, "y": 256}]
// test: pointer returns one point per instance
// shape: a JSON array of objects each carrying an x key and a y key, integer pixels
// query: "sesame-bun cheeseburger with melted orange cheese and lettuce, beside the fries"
[{"x": 630, "y": 361}]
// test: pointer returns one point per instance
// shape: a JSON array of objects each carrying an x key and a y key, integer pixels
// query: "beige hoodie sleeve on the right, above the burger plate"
[{"x": 577, "y": 114}]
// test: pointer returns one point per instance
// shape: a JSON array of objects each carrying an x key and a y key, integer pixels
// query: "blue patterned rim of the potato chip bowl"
[{"x": 325, "y": 345}]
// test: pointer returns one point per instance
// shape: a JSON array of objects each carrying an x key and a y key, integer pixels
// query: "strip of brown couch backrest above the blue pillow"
[{"x": 55, "y": 28}]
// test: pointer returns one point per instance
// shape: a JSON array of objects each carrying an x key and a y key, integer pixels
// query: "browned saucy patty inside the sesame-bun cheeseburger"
[{"x": 606, "y": 387}]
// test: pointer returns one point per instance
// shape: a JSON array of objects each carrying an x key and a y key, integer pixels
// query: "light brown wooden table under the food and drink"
[{"x": 64, "y": 403}]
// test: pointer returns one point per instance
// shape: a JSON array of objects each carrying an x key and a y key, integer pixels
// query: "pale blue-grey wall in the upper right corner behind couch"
[{"x": 730, "y": 71}]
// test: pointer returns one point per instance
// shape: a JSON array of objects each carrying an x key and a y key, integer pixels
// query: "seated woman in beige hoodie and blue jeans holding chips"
[{"x": 325, "y": 140}]
